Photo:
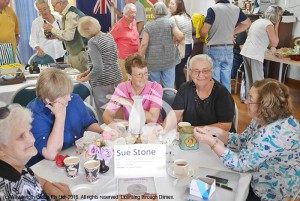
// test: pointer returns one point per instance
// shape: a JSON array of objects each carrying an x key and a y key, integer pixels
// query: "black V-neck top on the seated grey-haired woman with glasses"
[{"x": 217, "y": 107}]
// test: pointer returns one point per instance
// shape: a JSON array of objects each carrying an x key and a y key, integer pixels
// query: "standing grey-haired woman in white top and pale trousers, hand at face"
[{"x": 262, "y": 34}]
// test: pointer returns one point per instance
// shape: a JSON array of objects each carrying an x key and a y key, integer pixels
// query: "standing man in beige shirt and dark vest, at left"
[{"x": 74, "y": 42}]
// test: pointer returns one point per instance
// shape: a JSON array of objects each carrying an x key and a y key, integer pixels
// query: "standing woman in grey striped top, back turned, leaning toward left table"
[{"x": 105, "y": 73}]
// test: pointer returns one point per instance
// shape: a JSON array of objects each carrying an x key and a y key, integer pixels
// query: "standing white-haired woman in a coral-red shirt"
[{"x": 126, "y": 36}]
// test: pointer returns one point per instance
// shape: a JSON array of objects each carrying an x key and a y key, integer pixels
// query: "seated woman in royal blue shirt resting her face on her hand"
[{"x": 59, "y": 117}]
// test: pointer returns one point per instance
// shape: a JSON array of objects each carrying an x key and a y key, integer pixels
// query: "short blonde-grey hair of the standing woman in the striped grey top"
[{"x": 88, "y": 27}]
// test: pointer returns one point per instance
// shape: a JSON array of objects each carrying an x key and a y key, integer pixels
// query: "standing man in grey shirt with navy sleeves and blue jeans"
[{"x": 220, "y": 25}]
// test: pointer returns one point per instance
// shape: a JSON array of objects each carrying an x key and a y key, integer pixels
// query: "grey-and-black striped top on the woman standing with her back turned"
[{"x": 104, "y": 55}]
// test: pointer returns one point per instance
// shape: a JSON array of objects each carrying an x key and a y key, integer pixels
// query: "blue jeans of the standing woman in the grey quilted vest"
[{"x": 167, "y": 77}]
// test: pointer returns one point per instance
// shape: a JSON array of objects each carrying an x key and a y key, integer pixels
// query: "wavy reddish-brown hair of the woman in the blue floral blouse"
[{"x": 274, "y": 100}]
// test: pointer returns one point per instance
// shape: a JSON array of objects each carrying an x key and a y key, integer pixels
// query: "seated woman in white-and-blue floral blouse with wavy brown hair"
[{"x": 269, "y": 147}]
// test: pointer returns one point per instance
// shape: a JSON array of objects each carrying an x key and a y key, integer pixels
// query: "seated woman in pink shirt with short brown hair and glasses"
[{"x": 138, "y": 85}]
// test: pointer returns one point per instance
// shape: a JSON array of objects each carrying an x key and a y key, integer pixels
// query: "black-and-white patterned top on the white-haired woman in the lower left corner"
[{"x": 19, "y": 186}]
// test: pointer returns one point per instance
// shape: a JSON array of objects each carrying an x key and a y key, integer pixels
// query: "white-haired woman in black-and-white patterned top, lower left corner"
[{"x": 16, "y": 148}]
